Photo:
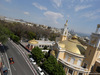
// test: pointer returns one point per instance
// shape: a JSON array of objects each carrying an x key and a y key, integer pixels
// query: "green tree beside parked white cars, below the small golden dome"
[{"x": 37, "y": 54}]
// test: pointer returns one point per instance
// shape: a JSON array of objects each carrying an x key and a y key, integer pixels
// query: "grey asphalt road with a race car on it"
[{"x": 20, "y": 67}]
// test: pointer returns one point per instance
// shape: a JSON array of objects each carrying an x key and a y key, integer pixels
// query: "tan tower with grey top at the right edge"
[{"x": 93, "y": 50}]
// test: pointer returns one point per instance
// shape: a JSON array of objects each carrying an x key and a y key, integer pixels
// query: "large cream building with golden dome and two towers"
[{"x": 76, "y": 58}]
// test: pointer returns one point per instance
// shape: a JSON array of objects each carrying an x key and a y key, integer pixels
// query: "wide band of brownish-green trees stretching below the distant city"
[{"x": 29, "y": 32}]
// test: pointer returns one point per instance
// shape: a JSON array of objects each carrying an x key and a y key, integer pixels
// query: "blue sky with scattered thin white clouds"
[{"x": 82, "y": 15}]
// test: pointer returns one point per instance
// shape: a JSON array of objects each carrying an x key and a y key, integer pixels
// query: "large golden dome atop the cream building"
[{"x": 72, "y": 46}]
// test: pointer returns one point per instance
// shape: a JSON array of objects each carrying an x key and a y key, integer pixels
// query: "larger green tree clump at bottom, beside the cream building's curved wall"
[{"x": 52, "y": 67}]
